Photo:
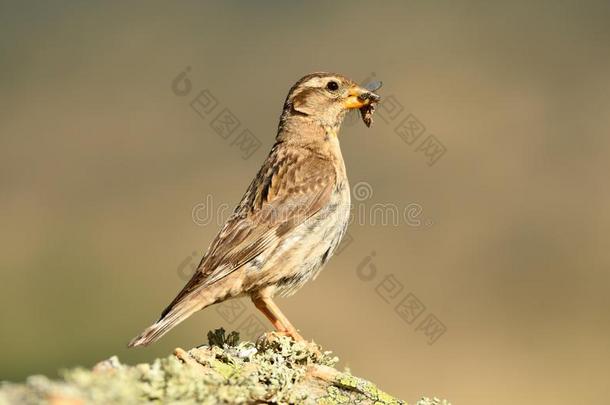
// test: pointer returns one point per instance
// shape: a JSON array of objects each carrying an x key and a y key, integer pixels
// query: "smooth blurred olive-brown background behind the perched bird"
[{"x": 493, "y": 142}]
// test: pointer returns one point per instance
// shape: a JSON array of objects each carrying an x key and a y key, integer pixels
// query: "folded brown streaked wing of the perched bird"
[{"x": 289, "y": 189}]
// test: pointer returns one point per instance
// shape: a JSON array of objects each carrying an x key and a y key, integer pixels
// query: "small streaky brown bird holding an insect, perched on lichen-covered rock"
[{"x": 293, "y": 215}]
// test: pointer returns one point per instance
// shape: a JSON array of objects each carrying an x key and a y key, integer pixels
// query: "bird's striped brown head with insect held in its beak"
[{"x": 326, "y": 97}]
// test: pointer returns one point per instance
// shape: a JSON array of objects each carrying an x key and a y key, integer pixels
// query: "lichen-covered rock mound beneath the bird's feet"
[{"x": 275, "y": 369}]
